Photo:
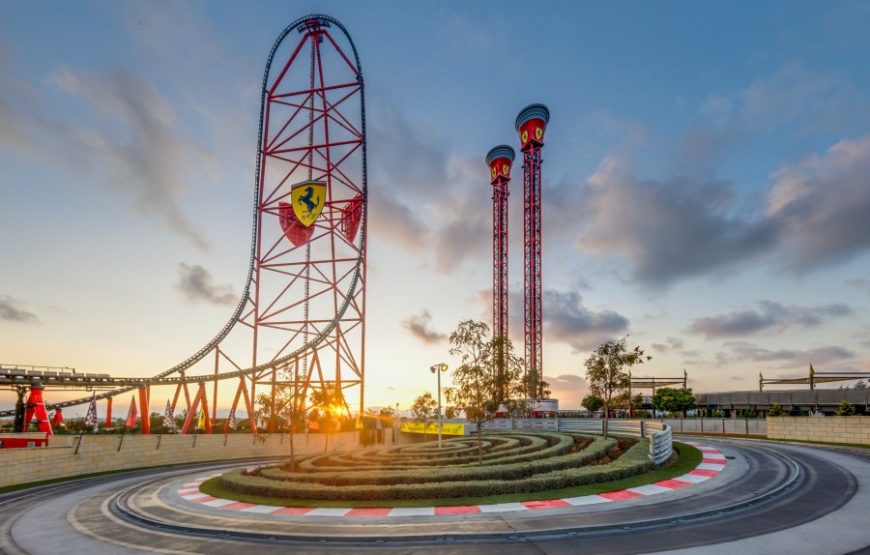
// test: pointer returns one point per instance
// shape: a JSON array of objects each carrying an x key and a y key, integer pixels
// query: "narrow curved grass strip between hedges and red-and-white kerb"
[{"x": 689, "y": 458}]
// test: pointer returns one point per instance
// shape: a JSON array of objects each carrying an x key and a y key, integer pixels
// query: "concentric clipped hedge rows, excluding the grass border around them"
[{"x": 562, "y": 460}]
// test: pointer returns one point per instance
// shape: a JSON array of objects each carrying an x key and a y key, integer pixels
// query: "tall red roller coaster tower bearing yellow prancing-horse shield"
[{"x": 310, "y": 208}]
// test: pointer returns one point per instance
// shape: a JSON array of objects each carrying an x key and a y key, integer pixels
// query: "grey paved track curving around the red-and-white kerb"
[{"x": 817, "y": 502}]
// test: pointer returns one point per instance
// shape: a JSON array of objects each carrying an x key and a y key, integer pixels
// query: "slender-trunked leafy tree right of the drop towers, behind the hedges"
[{"x": 606, "y": 371}]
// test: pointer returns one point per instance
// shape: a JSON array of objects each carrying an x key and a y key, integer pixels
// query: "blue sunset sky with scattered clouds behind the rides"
[{"x": 706, "y": 181}]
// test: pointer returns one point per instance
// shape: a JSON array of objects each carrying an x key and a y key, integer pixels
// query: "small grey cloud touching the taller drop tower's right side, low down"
[{"x": 567, "y": 320}]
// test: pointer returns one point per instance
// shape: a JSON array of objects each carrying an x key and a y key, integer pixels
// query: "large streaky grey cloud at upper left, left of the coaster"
[{"x": 134, "y": 143}]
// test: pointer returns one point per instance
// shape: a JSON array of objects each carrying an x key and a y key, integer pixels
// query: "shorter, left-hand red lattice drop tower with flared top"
[{"x": 499, "y": 160}]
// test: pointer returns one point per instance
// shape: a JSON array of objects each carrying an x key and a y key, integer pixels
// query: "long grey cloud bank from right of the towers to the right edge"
[{"x": 813, "y": 217}]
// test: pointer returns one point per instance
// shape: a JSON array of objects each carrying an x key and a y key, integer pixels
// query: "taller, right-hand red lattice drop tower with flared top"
[{"x": 531, "y": 124}]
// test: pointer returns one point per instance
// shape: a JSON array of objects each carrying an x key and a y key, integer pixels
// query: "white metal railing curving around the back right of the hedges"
[{"x": 659, "y": 433}]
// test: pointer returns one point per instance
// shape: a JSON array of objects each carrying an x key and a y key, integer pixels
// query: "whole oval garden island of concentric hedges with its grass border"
[{"x": 509, "y": 466}]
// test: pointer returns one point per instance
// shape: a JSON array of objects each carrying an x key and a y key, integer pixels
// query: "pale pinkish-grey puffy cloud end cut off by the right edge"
[{"x": 820, "y": 204}]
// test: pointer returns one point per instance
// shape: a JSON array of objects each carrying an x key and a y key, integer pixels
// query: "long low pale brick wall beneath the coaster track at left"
[{"x": 99, "y": 453}]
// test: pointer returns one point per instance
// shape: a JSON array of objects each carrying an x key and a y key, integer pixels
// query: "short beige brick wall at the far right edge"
[{"x": 832, "y": 429}]
